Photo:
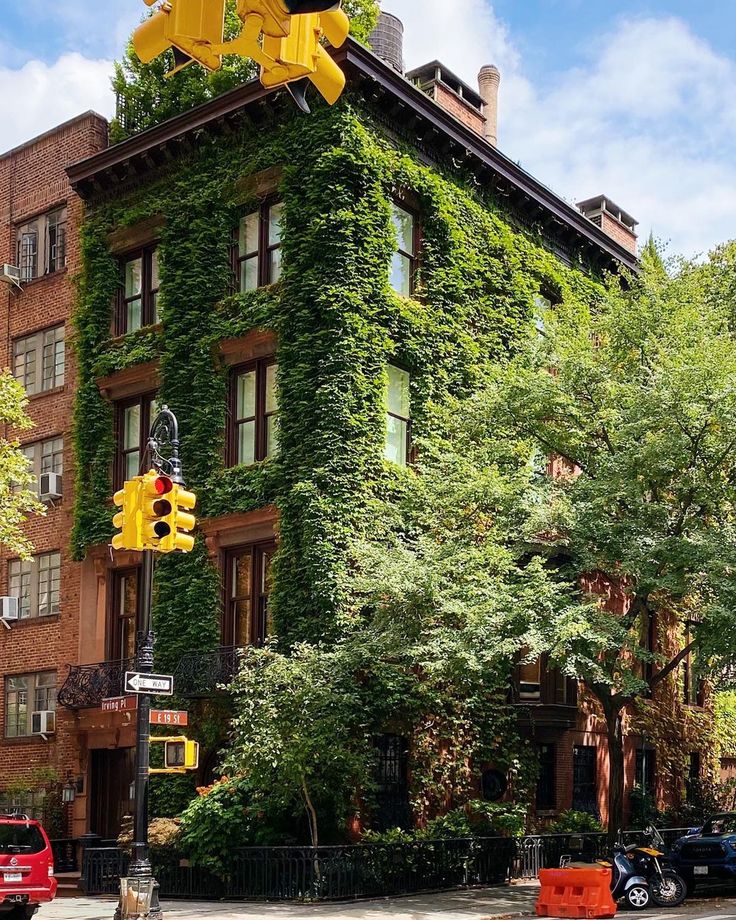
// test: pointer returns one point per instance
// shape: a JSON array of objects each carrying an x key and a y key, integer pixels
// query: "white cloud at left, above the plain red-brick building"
[{"x": 44, "y": 95}]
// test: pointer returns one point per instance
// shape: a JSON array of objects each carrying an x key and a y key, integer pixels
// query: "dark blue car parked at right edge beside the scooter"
[{"x": 707, "y": 852}]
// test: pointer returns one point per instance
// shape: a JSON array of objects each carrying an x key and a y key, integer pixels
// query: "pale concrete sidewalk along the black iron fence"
[{"x": 512, "y": 901}]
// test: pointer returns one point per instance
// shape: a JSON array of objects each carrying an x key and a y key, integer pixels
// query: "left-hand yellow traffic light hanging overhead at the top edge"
[{"x": 190, "y": 27}]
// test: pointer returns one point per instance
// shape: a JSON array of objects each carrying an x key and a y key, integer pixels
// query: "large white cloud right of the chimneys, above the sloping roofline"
[{"x": 648, "y": 118}]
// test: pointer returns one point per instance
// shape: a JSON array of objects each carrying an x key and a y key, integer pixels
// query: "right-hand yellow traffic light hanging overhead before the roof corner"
[{"x": 300, "y": 55}]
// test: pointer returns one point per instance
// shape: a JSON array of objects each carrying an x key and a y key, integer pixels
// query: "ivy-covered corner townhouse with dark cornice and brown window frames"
[{"x": 299, "y": 291}]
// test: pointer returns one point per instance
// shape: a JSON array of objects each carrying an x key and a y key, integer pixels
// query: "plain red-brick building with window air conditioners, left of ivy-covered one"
[{"x": 40, "y": 218}]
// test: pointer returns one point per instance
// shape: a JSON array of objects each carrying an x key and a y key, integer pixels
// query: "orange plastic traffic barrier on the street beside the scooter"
[{"x": 576, "y": 893}]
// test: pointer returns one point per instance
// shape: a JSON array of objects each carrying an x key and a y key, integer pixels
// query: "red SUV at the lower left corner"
[{"x": 26, "y": 867}]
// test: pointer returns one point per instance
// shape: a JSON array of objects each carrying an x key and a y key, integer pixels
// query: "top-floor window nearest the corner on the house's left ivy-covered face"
[{"x": 258, "y": 250}]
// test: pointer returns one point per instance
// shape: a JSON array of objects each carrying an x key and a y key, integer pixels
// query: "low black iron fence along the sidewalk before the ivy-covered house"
[{"x": 323, "y": 873}]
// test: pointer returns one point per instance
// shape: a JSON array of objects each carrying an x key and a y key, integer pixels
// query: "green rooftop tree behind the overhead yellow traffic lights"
[{"x": 147, "y": 97}]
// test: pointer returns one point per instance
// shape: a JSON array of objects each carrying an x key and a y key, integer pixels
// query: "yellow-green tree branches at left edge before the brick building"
[{"x": 17, "y": 501}]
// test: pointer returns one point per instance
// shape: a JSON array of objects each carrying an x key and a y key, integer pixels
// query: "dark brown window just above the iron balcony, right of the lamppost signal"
[{"x": 248, "y": 584}]
